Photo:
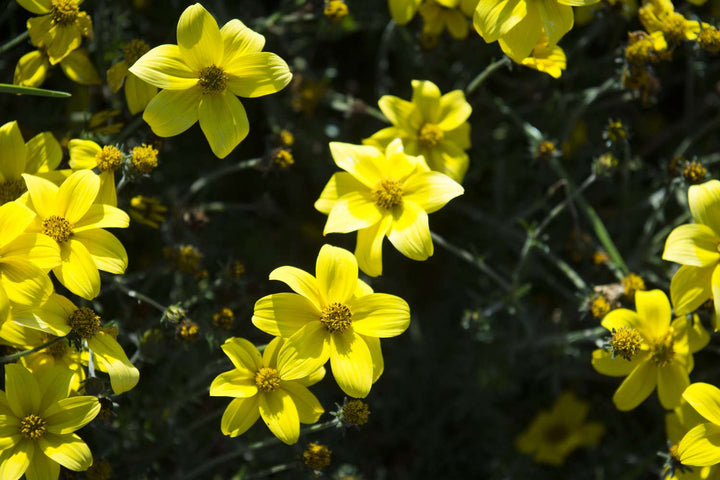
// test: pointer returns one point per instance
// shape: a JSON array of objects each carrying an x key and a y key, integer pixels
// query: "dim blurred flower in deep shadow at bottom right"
[{"x": 554, "y": 434}]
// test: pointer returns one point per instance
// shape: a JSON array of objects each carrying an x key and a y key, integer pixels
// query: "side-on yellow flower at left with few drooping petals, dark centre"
[{"x": 59, "y": 317}]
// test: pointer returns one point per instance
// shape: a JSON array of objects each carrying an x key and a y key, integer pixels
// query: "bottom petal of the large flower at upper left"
[{"x": 223, "y": 121}]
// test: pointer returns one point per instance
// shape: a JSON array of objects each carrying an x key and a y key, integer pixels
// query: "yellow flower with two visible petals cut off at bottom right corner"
[{"x": 700, "y": 447}]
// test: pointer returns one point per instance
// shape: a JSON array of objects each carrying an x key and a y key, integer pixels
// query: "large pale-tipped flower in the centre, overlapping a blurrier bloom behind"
[{"x": 383, "y": 193}]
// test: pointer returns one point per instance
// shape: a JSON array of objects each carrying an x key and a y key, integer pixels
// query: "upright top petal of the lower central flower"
[{"x": 336, "y": 272}]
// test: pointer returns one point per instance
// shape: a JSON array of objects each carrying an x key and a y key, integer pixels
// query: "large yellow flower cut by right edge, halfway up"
[{"x": 695, "y": 247}]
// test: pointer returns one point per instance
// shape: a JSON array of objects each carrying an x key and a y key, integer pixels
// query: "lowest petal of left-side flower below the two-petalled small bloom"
[{"x": 78, "y": 272}]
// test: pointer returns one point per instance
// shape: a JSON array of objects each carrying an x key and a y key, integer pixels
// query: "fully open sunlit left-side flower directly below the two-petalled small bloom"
[{"x": 69, "y": 215}]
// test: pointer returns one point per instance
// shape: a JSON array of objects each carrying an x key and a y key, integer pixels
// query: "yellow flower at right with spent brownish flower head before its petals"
[{"x": 649, "y": 350}]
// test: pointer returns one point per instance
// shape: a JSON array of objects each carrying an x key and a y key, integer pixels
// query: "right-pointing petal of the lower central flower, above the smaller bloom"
[{"x": 380, "y": 315}]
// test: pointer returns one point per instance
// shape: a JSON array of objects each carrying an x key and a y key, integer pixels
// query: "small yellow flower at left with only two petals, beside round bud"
[{"x": 86, "y": 155}]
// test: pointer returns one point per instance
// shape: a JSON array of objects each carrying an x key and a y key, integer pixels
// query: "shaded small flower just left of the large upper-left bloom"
[{"x": 137, "y": 93}]
